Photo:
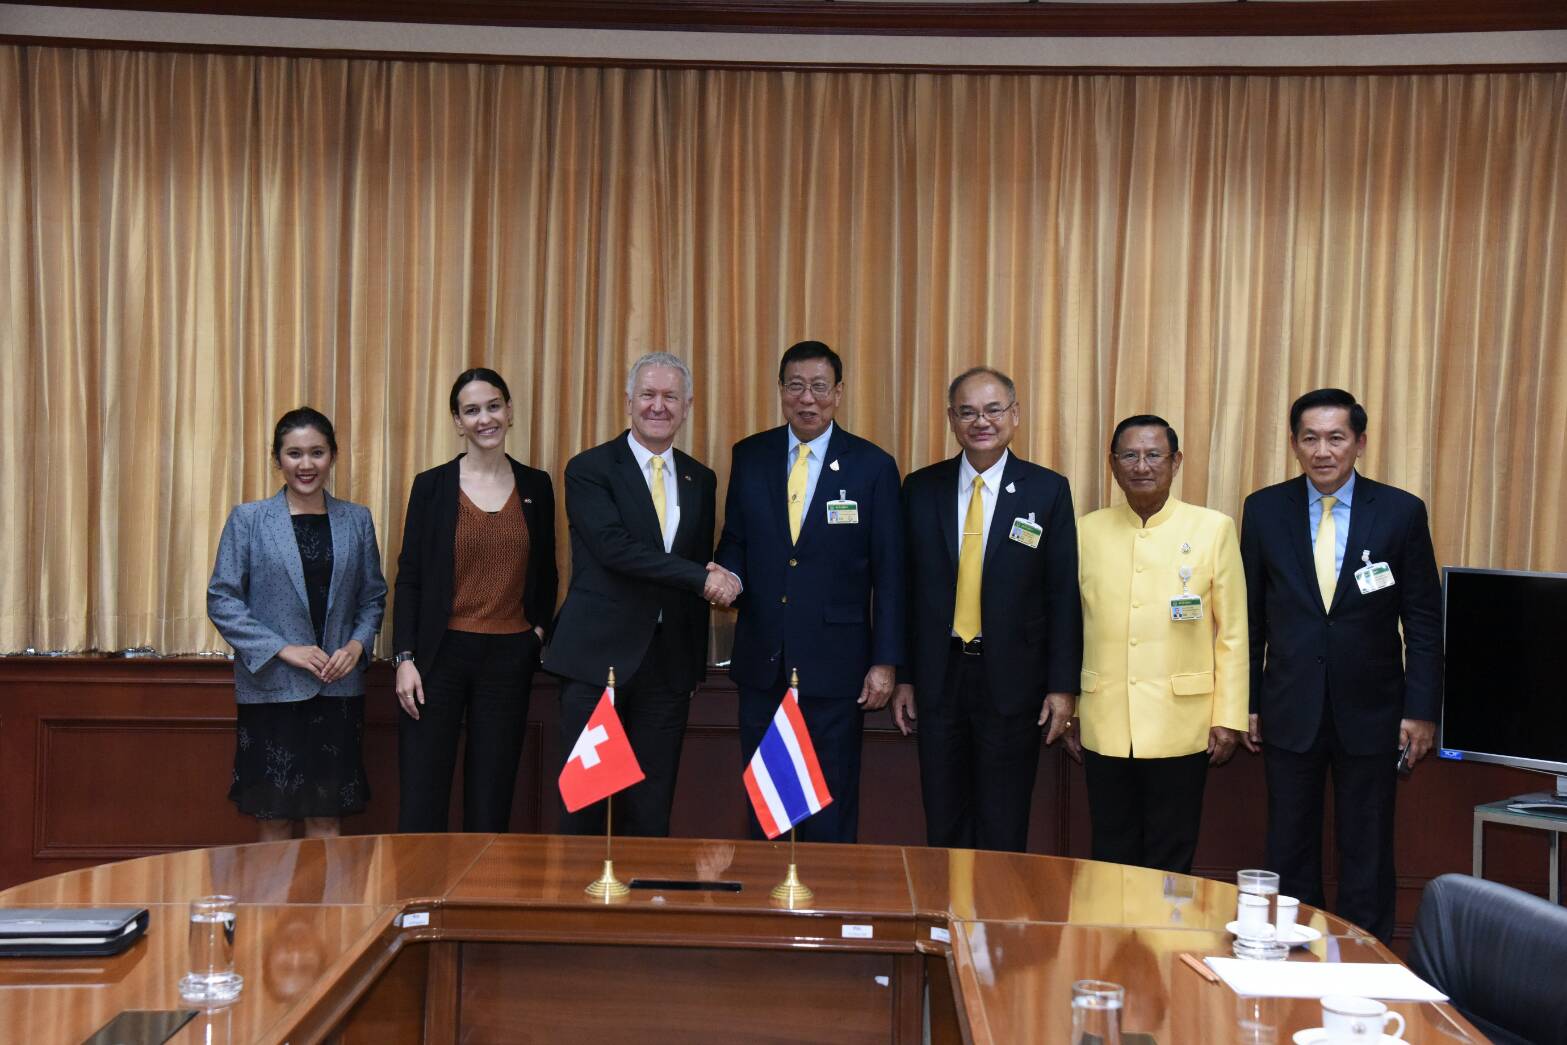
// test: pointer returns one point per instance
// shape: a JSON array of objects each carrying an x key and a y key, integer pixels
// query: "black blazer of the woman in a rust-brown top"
[{"x": 427, "y": 563}]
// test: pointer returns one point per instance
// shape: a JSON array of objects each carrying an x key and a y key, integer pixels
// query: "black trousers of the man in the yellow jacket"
[{"x": 1146, "y": 812}]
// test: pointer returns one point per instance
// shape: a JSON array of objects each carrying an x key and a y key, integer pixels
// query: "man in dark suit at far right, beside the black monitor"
[{"x": 1334, "y": 565}]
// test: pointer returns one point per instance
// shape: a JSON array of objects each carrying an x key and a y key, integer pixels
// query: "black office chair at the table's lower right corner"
[{"x": 1499, "y": 953}]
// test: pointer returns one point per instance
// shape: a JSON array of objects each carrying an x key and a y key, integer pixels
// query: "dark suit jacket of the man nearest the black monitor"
[{"x": 1306, "y": 657}]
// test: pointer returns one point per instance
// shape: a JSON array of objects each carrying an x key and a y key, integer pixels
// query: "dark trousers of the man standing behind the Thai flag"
[{"x": 836, "y": 725}]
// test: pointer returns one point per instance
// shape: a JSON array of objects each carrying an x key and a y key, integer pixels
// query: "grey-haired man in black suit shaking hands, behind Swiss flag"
[{"x": 642, "y": 521}]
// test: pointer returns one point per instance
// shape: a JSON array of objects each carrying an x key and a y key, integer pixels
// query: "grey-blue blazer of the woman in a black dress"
[{"x": 259, "y": 604}]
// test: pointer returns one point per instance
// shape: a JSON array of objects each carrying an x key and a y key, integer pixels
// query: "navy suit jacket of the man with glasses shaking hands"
[{"x": 831, "y": 606}]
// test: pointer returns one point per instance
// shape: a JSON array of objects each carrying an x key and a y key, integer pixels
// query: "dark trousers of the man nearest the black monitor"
[{"x": 1364, "y": 795}]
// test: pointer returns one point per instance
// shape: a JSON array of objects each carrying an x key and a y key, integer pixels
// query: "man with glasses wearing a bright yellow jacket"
[{"x": 1165, "y": 654}]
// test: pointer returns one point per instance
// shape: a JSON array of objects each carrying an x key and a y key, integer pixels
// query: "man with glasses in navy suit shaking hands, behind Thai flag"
[{"x": 812, "y": 533}]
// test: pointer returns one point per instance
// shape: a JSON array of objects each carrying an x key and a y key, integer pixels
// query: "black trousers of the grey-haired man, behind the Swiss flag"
[{"x": 654, "y": 717}]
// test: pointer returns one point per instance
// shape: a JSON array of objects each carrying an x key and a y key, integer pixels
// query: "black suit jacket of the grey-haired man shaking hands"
[{"x": 621, "y": 576}]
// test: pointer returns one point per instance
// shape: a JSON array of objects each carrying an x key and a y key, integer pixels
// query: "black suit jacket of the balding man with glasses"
[{"x": 1029, "y": 601}]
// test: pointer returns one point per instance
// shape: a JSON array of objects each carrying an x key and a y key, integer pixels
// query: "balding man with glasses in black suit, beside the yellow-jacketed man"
[{"x": 996, "y": 629}]
